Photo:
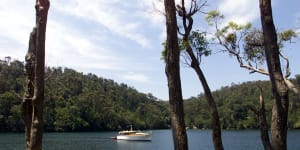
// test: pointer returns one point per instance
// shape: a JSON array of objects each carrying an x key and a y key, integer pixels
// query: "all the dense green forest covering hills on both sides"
[{"x": 85, "y": 102}]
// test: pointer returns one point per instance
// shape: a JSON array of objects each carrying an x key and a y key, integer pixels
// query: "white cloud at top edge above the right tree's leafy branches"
[{"x": 241, "y": 11}]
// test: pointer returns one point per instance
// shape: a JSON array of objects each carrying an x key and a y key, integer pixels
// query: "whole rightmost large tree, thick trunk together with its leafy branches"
[{"x": 252, "y": 48}]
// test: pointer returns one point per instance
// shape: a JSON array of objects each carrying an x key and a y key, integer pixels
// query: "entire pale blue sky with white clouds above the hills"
[{"x": 121, "y": 40}]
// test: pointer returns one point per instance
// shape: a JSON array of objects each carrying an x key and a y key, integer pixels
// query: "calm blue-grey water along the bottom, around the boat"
[{"x": 161, "y": 140}]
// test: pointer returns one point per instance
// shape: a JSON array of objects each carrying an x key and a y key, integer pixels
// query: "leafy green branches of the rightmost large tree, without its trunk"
[{"x": 246, "y": 45}]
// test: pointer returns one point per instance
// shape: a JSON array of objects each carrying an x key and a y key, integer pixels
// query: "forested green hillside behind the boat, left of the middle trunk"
[{"x": 78, "y": 102}]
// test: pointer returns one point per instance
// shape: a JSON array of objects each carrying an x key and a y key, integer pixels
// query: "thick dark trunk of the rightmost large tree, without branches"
[{"x": 279, "y": 88}]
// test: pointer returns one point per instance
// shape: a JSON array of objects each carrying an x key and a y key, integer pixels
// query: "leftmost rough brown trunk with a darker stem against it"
[{"x": 35, "y": 69}]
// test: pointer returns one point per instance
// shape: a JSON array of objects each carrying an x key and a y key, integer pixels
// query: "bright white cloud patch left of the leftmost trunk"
[{"x": 16, "y": 25}]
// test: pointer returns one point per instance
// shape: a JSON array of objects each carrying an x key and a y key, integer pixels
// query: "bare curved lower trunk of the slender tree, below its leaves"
[{"x": 217, "y": 135}]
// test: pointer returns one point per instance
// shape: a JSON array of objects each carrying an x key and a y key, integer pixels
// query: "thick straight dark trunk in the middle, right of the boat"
[{"x": 173, "y": 77}]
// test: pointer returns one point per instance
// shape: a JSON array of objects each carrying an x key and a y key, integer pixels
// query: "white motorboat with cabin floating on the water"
[{"x": 132, "y": 135}]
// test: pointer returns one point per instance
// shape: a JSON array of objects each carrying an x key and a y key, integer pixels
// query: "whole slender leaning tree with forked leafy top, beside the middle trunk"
[{"x": 196, "y": 46}]
